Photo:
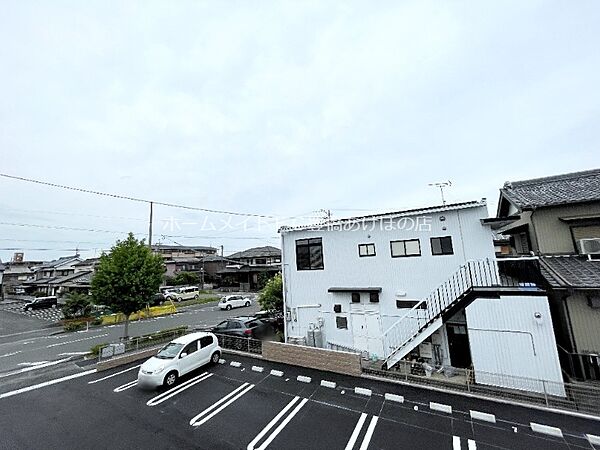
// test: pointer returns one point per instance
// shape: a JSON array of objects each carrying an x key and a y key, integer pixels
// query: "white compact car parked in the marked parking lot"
[{"x": 179, "y": 357}]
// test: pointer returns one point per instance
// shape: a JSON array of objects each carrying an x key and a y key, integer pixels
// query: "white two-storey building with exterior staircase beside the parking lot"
[{"x": 420, "y": 283}]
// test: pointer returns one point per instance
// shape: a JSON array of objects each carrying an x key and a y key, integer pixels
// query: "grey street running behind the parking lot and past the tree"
[{"x": 29, "y": 347}]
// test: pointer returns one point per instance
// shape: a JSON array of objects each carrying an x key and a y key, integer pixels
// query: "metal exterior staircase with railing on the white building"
[{"x": 428, "y": 315}]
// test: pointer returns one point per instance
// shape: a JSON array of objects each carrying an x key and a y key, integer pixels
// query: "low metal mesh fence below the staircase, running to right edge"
[{"x": 566, "y": 396}]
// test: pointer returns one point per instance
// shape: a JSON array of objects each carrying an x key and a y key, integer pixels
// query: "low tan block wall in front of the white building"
[{"x": 312, "y": 357}]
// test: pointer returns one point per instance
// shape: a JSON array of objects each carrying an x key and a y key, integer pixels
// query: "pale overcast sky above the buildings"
[{"x": 281, "y": 108}]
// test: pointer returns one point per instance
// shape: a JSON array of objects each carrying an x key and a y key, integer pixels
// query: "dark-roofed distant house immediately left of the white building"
[{"x": 251, "y": 268}]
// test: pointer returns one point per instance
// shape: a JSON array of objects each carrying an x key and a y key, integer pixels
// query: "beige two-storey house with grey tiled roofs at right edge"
[{"x": 555, "y": 223}]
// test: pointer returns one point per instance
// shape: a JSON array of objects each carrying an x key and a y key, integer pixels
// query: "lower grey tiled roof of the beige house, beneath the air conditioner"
[{"x": 571, "y": 272}]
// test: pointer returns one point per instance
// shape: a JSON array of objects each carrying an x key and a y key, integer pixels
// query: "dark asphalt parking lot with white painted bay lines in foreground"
[{"x": 254, "y": 404}]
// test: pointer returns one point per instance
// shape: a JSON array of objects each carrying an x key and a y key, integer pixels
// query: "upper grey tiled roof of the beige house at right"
[{"x": 574, "y": 187}]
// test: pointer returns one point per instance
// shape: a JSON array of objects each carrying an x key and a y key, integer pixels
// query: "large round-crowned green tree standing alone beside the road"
[{"x": 127, "y": 277}]
